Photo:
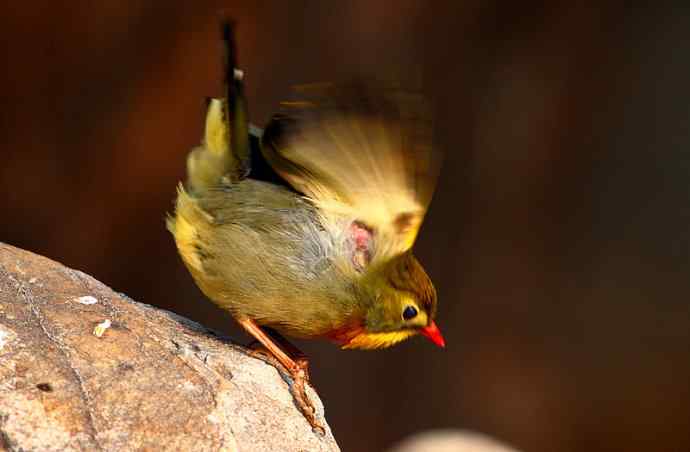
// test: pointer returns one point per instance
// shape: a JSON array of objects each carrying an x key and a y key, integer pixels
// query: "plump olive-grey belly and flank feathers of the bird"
[{"x": 257, "y": 250}]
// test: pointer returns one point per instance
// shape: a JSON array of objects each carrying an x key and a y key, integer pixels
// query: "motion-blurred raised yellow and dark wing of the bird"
[{"x": 362, "y": 151}]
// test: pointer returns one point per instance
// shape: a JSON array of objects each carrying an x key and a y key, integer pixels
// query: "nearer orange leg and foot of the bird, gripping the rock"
[{"x": 297, "y": 371}]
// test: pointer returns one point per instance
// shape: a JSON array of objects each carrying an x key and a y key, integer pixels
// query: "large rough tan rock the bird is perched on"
[{"x": 151, "y": 381}]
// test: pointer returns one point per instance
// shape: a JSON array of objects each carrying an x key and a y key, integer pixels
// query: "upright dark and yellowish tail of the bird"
[{"x": 225, "y": 148}]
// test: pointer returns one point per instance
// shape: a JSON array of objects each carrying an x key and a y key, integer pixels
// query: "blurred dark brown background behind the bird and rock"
[{"x": 559, "y": 236}]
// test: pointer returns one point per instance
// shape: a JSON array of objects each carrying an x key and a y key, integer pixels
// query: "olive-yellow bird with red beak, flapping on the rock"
[{"x": 305, "y": 228}]
